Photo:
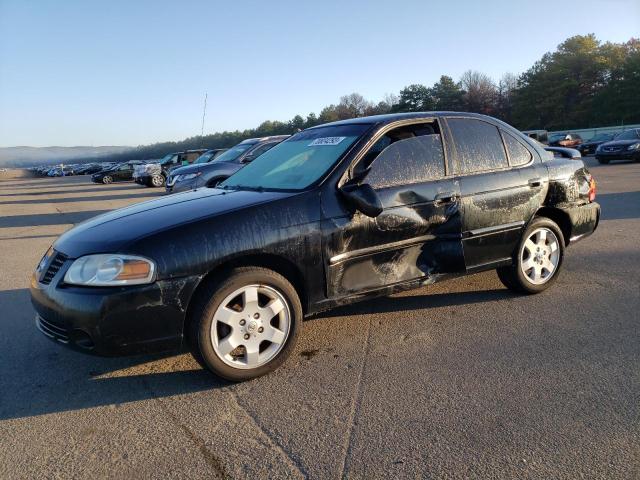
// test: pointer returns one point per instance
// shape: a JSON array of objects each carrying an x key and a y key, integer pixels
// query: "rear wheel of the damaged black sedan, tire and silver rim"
[{"x": 538, "y": 259}]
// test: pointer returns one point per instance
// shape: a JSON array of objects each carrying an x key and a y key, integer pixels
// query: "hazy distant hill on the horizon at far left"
[{"x": 28, "y": 156}]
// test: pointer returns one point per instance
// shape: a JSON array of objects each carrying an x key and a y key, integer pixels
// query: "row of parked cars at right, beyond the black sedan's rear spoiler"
[{"x": 606, "y": 146}]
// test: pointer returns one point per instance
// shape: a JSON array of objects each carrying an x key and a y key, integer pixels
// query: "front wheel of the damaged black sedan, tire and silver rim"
[{"x": 232, "y": 323}]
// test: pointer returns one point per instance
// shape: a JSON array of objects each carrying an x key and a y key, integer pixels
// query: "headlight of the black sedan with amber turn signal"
[{"x": 111, "y": 270}]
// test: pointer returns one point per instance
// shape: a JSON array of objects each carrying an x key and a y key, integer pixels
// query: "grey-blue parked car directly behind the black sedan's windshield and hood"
[{"x": 222, "y": 167}]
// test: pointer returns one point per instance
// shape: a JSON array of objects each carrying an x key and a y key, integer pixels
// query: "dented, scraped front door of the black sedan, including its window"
[{"x": 417, "y": 237}]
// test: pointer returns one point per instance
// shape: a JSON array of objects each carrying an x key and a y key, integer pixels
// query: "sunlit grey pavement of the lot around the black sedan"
[{"x": 457, "y": 380}]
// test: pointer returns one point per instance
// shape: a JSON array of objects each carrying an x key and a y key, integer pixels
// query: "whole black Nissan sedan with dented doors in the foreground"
[{"x": 335, "y": 214}]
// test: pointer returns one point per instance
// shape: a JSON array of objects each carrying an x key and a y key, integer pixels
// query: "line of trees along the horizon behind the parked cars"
[{"x": 583, "y": 83}]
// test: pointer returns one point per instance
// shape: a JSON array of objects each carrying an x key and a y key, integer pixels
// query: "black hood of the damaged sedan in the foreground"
[{"x": 111, "y": 232}]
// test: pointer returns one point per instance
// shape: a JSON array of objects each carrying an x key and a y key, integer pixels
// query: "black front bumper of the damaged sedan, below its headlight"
[{"x": 113, "y": 321}]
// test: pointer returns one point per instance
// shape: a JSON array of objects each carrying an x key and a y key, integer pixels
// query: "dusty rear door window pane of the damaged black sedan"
[{"x": 478, "y": 145}]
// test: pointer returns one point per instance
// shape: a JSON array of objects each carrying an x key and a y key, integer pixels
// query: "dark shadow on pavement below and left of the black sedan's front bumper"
[{"x": 39, "y": 376}]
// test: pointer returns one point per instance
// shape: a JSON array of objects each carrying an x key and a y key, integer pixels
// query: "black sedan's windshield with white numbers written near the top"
[{"x": 299, "y": 161}]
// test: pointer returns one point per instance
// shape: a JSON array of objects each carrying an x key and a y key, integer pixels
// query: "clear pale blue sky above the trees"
[{"x": 131, "y": 72}]
